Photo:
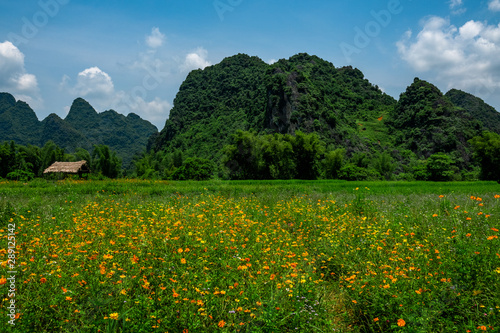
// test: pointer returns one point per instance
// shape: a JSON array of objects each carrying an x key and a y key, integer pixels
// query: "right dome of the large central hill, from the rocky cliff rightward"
[{"x": 309, "y": 94}]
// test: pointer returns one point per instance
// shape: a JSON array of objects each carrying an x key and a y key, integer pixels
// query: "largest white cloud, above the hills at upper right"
[{"x": 464, "y": 58}]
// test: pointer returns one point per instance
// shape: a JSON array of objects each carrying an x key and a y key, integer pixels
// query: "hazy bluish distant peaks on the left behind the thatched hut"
[{"x": 82, "y": 128}]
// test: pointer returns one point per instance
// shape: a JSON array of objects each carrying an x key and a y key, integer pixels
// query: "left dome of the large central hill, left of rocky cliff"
[{"x": 213, "y": 103}]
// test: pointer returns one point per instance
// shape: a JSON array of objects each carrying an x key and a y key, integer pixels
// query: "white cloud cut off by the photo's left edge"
[{"x": 14, "y": 78}]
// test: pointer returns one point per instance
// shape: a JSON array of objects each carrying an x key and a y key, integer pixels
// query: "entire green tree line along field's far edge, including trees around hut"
[{"x": 268, "y": 156}]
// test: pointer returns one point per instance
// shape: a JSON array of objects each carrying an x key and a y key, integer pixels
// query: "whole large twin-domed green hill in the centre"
[{"x": 303, "y": 93}]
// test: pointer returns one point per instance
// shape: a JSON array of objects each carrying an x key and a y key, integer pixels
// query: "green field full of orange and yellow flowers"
[{"x": 282, "y": 256}]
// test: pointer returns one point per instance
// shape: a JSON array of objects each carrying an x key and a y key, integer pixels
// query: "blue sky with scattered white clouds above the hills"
[{"x": 132, "y": 56}]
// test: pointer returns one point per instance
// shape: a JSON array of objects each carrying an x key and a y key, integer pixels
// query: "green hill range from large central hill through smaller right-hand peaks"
[{"x": 306, "y": 93}]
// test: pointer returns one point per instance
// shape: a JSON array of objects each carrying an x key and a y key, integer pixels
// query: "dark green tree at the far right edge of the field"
[{"x": 487, "y": 153}]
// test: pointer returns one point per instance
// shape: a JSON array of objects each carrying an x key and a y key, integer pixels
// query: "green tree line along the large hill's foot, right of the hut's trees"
[{"x": 305, "y": 156}]
